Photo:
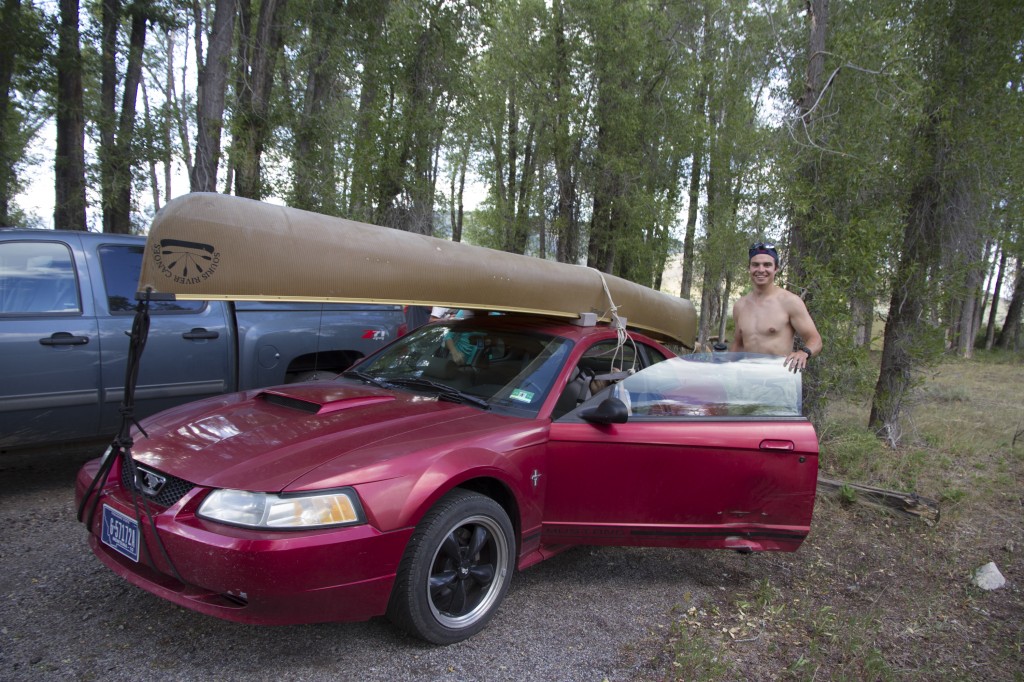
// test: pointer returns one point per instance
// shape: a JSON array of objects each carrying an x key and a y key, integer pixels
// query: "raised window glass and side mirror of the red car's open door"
[{"x": 734, "y": 386}]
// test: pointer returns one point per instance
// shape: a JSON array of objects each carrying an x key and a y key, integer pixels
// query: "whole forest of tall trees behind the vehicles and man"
[{"x": 878, "y": 143}]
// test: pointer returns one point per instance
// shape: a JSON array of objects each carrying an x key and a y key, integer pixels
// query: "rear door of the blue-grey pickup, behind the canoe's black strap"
[{"x": 189, "y": 354}]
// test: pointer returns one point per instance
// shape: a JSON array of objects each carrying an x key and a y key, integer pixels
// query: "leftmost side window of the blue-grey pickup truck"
[{"x": 37, "y": 278}]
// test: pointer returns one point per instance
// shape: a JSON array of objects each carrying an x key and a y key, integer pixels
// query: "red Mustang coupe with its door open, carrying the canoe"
[{"x": 417, "y": 483}]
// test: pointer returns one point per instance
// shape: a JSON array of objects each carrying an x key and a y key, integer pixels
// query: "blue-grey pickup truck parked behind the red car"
[{"x": 67, "y": 305}]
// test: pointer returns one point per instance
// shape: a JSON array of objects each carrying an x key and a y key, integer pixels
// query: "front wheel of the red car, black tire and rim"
[{"x": 456, "y": 570}]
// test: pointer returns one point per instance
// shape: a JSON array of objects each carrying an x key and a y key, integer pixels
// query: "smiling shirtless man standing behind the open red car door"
[{"x": 770, "y": 318}]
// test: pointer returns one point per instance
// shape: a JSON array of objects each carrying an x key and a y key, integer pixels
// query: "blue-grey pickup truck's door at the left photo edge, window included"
[{"x": 50, "y": 371}]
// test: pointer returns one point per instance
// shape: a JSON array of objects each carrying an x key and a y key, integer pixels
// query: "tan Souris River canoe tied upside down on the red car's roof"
[{"x": 211, "y": 246}]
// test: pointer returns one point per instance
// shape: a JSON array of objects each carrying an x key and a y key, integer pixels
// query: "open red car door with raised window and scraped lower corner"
[{"x": 713, "y": 454}]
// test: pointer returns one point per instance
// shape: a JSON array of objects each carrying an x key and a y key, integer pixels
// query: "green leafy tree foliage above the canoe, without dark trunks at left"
[{"x": 583, "y": 120}]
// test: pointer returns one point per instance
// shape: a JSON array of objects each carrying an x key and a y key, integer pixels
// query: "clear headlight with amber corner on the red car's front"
[{"x": 297, "y": 510}]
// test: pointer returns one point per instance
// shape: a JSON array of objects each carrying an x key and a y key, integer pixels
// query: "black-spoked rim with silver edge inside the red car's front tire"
[{"x": 467, "y": 572}]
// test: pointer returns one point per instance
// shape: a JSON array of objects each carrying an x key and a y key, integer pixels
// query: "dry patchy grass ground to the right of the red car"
[{"x": 873, "y": 598}]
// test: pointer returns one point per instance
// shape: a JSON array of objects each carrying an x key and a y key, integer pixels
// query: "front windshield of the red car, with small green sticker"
[{"x": 472, "y": 362}]
